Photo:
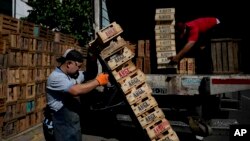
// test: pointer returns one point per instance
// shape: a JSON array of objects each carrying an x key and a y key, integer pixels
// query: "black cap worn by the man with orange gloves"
[{"x": 70, "y": 54}]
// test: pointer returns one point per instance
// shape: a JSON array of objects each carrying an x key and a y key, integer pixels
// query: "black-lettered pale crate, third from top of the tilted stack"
[{"x": 119, "y": 58}]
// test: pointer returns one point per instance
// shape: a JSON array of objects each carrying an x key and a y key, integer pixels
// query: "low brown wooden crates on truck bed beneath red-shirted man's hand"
[{"x": 186, "y": 66}]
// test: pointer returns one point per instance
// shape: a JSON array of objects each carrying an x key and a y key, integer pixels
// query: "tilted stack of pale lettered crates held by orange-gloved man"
[{"x": 132, "y": 80}]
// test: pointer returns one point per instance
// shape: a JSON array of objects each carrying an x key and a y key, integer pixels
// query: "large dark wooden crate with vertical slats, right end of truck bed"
[{"x": 225, "y": 55}]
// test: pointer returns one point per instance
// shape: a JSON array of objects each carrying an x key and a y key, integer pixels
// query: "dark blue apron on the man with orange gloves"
[{"x": 66, "y": 124}]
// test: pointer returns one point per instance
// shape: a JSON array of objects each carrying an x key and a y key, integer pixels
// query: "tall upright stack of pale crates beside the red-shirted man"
[{"x": 165, "y": 36}]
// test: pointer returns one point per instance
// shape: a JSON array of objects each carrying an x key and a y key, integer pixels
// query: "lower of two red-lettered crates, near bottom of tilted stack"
[{"x": 158, "y": 129}]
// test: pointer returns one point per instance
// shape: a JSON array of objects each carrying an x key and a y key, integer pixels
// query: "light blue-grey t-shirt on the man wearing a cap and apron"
[{"x": 58, "y": 84}]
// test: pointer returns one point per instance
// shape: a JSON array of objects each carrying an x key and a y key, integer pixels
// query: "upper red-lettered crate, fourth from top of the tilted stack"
[{"x": 124, "y": 70}]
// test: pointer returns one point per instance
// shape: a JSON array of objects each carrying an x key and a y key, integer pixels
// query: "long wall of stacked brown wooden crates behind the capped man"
[{"x": 27, "y": 56}]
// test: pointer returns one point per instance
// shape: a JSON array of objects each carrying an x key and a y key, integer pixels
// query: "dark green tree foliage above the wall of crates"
[{"x": 73, "y": 17}]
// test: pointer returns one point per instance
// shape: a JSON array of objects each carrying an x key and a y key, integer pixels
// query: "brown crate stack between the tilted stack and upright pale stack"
[{"x": 143, "y": 56}]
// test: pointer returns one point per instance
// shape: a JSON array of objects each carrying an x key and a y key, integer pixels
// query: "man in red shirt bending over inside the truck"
[{"x": 193, "y": 33}]
